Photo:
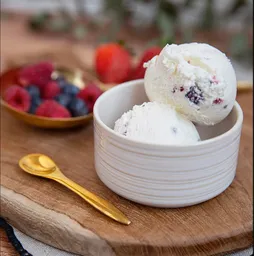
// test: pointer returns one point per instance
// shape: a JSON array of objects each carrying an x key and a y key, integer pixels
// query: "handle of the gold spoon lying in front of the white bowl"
[{"x": 97, "y": 202}]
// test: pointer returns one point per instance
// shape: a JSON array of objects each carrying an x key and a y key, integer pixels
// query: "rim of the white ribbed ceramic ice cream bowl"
[{"x": 218, "y": 138}]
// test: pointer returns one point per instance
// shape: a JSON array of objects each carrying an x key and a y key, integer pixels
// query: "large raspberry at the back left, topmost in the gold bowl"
[{"x": 38, "y": 74}]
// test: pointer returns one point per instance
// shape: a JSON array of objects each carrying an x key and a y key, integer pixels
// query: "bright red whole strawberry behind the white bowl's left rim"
[{"x": 112, "y": 63}]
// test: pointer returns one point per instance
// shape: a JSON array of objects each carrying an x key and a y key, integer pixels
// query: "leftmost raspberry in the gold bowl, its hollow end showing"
[{"x": 18, "y": 98}]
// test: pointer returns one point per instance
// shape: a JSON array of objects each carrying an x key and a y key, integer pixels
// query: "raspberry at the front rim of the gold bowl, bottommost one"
[{"x": 50, "y": 108}]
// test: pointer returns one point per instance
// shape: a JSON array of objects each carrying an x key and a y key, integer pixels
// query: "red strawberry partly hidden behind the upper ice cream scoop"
[{"x": 139, "y": 70}]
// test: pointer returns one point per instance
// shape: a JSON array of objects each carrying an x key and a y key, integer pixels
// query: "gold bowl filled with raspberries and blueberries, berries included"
[{"x": 40, "y": 95}]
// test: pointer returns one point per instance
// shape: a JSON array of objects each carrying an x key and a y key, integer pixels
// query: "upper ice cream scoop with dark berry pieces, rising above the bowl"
[{"x": 197, "y": 79}]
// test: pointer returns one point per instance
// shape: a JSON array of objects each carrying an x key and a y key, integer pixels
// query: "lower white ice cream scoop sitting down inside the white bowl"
[{"x": 157, "y": 123}]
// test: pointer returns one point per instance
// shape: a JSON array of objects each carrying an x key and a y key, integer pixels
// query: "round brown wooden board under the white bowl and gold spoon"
[{"x": 54, "y": 215}]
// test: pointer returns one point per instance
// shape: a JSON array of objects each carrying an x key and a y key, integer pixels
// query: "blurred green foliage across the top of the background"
[{"x": 165, "y": 20}]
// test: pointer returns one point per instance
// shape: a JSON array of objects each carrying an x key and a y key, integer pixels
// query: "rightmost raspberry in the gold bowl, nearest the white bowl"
[{"x": 89, "y": 95}]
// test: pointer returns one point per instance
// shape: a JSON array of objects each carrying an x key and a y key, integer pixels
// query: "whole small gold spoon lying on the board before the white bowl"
[{"x": 42, "y": 165}]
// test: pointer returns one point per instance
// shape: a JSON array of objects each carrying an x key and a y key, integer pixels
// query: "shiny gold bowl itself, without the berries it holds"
[{"x": 8, "y": 78}]
